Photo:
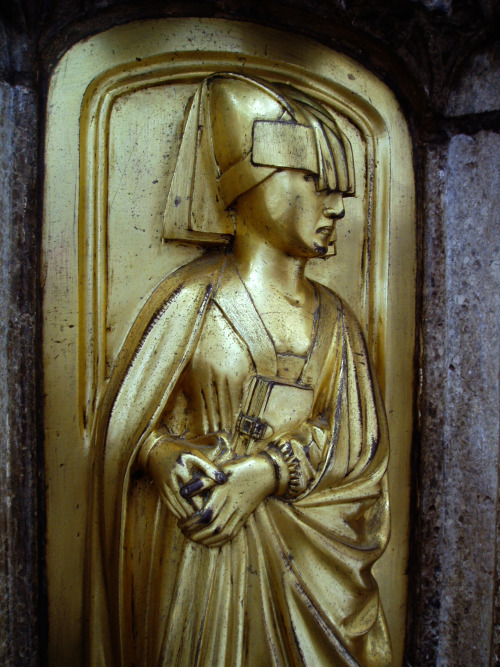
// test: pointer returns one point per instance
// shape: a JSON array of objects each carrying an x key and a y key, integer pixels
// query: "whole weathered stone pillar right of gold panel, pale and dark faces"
[{"x": 461, "y": 396}]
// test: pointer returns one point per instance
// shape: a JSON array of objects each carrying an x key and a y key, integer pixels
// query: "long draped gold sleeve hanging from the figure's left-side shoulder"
[{"x": 158, "y": 346}]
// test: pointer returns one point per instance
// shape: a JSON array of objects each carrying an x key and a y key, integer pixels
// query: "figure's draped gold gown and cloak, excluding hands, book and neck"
[{"x": 294, "y": 586}]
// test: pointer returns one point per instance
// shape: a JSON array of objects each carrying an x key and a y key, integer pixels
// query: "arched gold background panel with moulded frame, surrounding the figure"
[{"x": 115, "y": 119}]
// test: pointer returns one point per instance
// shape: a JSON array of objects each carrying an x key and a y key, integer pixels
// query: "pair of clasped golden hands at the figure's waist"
[{"x": 240, "y": 486}]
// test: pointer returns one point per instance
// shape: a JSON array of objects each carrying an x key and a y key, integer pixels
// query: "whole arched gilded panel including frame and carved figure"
[{"x": 227, "y": 220}]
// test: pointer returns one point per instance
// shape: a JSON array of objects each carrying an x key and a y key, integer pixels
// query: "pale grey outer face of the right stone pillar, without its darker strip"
[{"x": 472, "y": 221}]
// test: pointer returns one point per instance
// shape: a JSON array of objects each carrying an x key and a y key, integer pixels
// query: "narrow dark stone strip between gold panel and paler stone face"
[{"x": 423, "y": 633}]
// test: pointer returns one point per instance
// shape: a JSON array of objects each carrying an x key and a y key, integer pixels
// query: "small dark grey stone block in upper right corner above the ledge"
[{"x": 478, "y": 88}]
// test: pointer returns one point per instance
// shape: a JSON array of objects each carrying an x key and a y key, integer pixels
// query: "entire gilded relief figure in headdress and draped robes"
[{"x": 239, "y": 495}]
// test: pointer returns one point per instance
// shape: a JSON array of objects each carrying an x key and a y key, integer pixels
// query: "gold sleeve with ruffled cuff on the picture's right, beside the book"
[{"x": 345, "y": 443}]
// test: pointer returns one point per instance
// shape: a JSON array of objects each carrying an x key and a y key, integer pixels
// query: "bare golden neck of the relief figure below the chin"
[{"x": 262, "y": 266}]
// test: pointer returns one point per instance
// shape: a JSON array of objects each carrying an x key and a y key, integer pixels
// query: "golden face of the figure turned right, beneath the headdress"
[{"x": 291, "y": 214}]
